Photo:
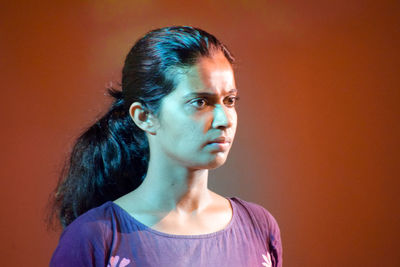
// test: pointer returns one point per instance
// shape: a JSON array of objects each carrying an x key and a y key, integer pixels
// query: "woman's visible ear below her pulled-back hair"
[{"x": 144, "y": 119}]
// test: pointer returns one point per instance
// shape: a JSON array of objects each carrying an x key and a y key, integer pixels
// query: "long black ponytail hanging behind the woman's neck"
[{"x": 107, "y": 161}]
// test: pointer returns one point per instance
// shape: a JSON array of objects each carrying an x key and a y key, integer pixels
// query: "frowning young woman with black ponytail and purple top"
[{"x": 135, "y": 190}]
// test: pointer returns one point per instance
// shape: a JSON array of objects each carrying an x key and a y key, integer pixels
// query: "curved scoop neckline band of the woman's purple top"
[{"x": 151, "y": 230}]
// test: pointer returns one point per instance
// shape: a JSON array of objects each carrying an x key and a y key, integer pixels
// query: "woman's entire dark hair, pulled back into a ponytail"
[{"x": 110, "y": 159}]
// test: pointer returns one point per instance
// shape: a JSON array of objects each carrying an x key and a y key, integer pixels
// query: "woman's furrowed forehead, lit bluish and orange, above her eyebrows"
[{"x": 209, "y": 75}]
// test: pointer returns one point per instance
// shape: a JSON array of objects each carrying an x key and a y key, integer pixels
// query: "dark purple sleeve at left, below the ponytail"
[{"x": 81, "y": 244}]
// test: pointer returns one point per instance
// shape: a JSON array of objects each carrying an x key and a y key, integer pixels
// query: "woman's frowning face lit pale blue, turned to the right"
[{"x": 197, "y": 121}]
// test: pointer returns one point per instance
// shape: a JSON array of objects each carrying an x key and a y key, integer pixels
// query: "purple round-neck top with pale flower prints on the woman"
[{"x": 109, "y": 236}]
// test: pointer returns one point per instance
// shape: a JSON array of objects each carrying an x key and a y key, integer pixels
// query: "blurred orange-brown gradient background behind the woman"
[{"x": 318, "y": 138}]
